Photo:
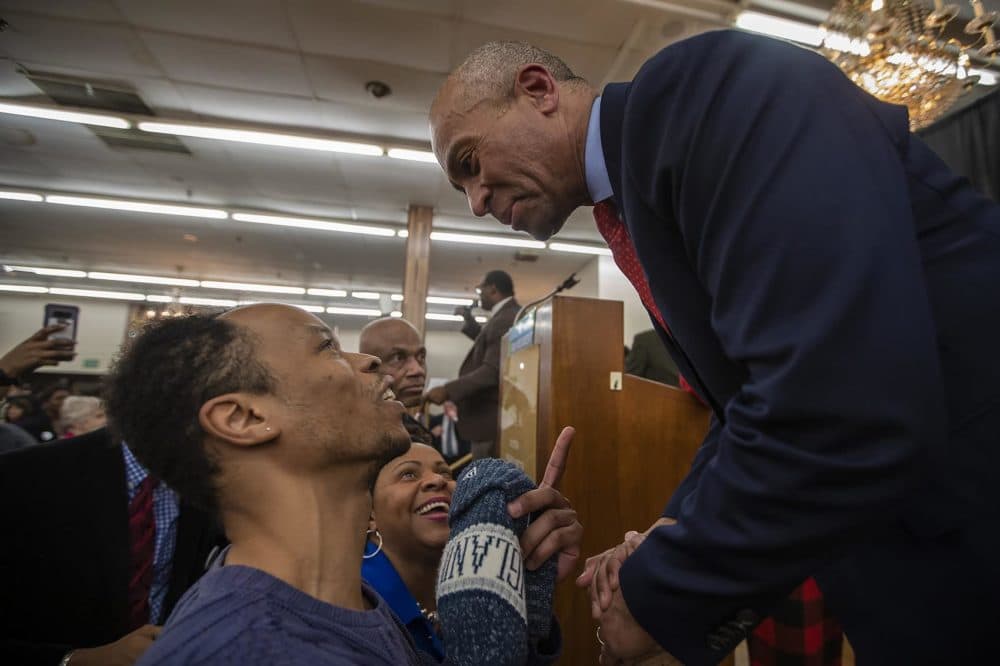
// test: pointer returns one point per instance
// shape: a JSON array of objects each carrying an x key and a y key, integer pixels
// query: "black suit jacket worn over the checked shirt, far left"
[{"x": 64, "y": 563}]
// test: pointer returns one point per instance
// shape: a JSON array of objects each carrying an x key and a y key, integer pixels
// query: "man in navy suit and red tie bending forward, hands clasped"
[{"x": 828, "y": 287}]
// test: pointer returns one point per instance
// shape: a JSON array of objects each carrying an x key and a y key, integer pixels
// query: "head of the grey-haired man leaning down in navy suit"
[{"x": 509, "y": 128}]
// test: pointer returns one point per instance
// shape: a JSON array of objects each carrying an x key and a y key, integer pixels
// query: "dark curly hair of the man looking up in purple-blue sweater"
[{"x": 157, "y": 388}]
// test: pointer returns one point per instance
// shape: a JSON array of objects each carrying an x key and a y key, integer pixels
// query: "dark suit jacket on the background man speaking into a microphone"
[{"x": 476, "y": 391}]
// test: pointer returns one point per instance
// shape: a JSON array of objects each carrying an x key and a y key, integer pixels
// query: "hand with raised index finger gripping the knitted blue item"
[{"x": 557, "y": 530}]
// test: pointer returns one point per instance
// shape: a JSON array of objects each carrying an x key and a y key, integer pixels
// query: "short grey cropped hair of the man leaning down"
[{"x": 489, "y": 71}]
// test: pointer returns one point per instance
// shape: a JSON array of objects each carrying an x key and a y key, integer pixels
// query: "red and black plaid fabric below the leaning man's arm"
[{"x": 800, "y": 632}]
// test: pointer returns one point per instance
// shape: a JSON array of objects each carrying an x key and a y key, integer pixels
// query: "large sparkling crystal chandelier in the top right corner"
[{"x": 897, "y": 51}]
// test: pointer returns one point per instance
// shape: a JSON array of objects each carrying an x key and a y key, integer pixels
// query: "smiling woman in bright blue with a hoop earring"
[{"x": 408, "y": 532}]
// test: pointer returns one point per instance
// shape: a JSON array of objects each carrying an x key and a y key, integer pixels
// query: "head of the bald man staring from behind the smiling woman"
[{"x": 398, "y": 345}]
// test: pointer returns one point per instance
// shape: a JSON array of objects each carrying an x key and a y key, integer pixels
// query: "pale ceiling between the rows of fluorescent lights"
[{"x": 299, "y": 64}]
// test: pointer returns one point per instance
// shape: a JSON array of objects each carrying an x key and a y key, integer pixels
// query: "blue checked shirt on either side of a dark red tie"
[{"x": 166, "y": 509}]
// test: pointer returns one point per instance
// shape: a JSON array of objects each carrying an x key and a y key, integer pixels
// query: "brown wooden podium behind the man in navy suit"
[{"x": 635, "y": 439}]
